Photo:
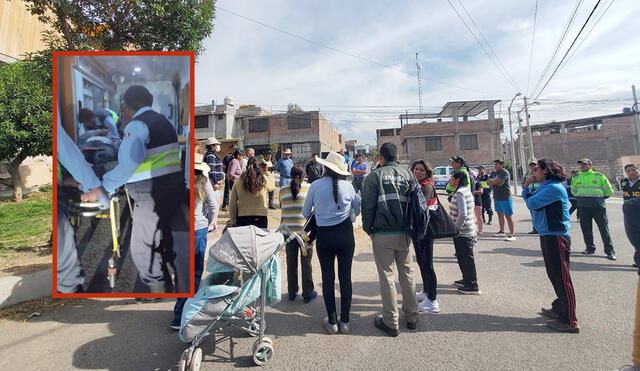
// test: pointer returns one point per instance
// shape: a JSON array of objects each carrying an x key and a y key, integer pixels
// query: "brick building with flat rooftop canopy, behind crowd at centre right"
[{"x": 455, "y": 129}]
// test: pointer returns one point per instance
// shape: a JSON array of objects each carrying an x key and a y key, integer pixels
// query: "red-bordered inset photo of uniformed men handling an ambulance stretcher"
[{"x": 122, "y": 202}]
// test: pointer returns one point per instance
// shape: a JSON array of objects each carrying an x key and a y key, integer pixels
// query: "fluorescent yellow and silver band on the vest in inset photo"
[{"x": 160, "y": 161}]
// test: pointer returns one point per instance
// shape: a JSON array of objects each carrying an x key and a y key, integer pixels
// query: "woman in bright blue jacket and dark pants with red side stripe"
[{"x": 549, "y": 205}]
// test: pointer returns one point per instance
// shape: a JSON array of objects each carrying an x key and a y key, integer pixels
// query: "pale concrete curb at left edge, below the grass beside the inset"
[{"x": 29, "y": 286}]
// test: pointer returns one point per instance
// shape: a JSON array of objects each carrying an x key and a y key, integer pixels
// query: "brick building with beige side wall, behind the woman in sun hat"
[{"x": 305, "y": 133}]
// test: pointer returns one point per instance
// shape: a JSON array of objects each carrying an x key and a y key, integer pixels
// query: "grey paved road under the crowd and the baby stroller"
[{"x": 498, "y": 330}]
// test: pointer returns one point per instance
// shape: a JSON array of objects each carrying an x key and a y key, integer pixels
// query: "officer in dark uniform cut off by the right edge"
[{"x": 631, "y": 208}]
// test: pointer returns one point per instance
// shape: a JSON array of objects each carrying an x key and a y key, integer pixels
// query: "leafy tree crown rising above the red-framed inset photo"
[{"x": 128, "y": 25}]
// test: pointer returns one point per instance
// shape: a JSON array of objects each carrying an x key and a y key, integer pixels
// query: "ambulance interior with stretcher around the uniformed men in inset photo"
[{"x": 98, "y": 83}]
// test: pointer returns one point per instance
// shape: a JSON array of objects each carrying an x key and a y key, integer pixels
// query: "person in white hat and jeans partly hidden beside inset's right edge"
[{"x": 203, "y": 195}]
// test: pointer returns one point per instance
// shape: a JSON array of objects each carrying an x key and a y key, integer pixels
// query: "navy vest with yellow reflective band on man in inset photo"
[{"x": 163, "y": 151}]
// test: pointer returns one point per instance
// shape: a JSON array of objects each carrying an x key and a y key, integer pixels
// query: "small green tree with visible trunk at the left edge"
[{"x": 25, "y": 115}]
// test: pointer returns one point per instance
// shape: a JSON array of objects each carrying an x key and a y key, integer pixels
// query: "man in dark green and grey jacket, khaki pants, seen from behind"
[{"x": 383, "y": 218}]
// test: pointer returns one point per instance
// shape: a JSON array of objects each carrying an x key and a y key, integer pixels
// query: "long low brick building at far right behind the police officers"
[{"x": 606, "y": 140}]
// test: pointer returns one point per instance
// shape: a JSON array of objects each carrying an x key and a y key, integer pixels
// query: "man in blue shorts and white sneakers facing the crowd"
[{"x": 499, "y": 181}]
